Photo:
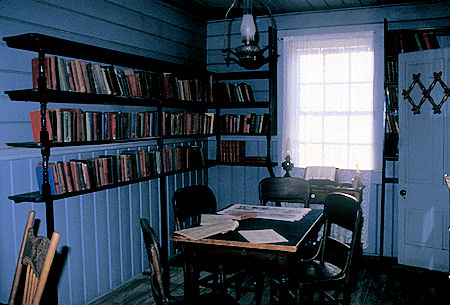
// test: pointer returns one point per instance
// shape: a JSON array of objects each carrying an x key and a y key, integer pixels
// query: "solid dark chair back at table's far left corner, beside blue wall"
[{"x": 190, "y": 202}]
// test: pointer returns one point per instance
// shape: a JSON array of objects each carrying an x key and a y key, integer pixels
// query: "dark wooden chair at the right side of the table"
[{"x": 330, "y": 269}]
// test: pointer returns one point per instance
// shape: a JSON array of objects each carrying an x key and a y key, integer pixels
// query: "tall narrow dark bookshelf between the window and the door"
[{"x": 398, "y": 41}]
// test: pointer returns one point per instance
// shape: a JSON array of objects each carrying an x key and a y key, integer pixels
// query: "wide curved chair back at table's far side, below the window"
[{"x": 284, "y": 189}]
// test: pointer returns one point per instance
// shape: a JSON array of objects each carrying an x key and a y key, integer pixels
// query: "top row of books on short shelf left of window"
[{"x": 234, "y": 93}]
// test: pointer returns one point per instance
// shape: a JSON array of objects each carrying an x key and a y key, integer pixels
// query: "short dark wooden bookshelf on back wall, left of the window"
[{"x": 263, "y": 106}]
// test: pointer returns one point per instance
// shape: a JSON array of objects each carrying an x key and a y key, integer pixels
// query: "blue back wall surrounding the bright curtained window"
[{"x": 348, "y": 20}]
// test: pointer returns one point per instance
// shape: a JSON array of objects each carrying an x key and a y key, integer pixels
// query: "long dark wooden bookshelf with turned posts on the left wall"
[{"x": 45, "y": 45}]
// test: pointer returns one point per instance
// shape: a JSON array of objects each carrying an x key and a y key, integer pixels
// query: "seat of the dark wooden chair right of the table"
[{"x": 311, "y": 272}]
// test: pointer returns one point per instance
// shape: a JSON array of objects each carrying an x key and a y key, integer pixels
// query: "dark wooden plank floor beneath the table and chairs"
[{"x": 380, "y": 283}]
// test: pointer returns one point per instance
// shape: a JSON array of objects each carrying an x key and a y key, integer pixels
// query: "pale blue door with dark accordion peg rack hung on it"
[{"x": 423, "y": 215}]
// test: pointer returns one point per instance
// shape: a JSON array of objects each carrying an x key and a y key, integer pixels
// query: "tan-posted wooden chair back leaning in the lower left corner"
[{"x": 33, "y": 265}]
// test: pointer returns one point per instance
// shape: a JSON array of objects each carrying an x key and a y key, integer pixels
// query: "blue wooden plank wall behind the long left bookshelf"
[{"x": 100, "y": 232}]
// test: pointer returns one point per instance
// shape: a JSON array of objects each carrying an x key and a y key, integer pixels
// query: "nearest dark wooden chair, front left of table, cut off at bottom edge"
[{"x": 161, "y": 294}]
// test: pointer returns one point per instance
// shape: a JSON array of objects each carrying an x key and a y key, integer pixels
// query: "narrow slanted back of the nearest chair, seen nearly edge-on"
[{"x": 160, "y": 295}]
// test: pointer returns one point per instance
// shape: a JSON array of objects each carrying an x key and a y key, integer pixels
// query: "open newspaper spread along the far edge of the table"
[{"x": 268, "y": 212}]
